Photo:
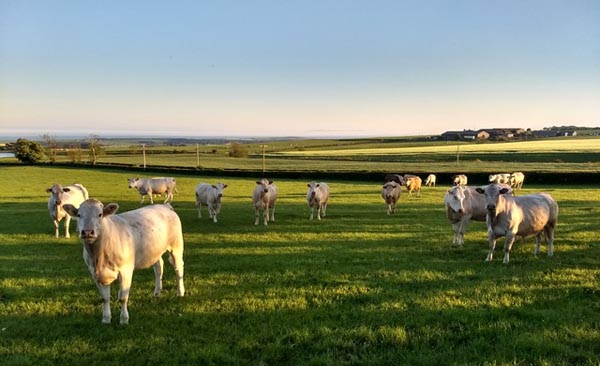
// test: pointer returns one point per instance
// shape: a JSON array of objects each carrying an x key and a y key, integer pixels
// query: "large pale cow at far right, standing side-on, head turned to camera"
[{"x": 509, "y": 216}]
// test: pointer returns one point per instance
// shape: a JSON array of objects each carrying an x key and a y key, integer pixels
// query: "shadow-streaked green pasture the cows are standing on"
[{"x": 357, "y": 288}]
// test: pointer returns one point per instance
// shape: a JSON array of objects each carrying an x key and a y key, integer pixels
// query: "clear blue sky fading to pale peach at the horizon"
[{"x": 297, "y": 68}]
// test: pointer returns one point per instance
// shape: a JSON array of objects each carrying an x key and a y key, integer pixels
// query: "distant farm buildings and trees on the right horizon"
[{"x": 508, "y": 134}]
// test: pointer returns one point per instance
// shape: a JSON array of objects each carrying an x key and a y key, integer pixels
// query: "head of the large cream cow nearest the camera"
[{"x": 89, "y": 218}]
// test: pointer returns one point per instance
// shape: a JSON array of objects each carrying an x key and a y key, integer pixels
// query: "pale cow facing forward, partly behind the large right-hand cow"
[{"x": 463, "y": 204}]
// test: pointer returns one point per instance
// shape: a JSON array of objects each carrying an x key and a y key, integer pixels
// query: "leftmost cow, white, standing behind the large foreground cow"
[{"x": 59, "y": 196}]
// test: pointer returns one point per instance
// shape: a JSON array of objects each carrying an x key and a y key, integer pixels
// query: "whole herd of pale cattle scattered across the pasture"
[{"x": 116, "y": 244}]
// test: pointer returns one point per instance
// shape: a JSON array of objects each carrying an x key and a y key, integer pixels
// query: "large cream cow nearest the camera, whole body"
[{"x": 114, "y": 245}]
